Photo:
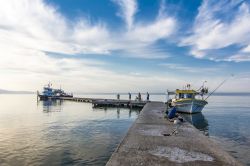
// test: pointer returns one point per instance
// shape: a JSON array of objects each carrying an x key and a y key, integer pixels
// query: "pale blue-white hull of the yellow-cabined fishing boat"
[{"x": 189, "y": 106}]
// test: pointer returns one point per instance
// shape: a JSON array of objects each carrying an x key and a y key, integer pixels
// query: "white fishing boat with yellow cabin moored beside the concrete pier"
[{"x": 187, "y": 101}]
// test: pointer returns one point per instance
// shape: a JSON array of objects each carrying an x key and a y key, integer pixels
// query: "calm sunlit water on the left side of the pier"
[{"x": 59, "y": 133}]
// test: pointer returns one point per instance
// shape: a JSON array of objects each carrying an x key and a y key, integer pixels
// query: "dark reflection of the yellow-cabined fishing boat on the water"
[{"x": 198, "y": 120}]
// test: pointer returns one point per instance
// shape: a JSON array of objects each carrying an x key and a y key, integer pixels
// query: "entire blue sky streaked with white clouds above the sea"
[{"x": 124, "y": 45}]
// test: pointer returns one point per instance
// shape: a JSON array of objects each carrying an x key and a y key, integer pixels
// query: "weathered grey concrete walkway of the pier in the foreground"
[{"x": 154, "y": 140}]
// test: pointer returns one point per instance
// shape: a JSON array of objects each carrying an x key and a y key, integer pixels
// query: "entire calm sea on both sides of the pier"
[{"x": 71, "y": 133}]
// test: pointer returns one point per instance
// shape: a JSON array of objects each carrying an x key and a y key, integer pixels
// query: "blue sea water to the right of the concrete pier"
[{"x": 226, "y": 120}]
